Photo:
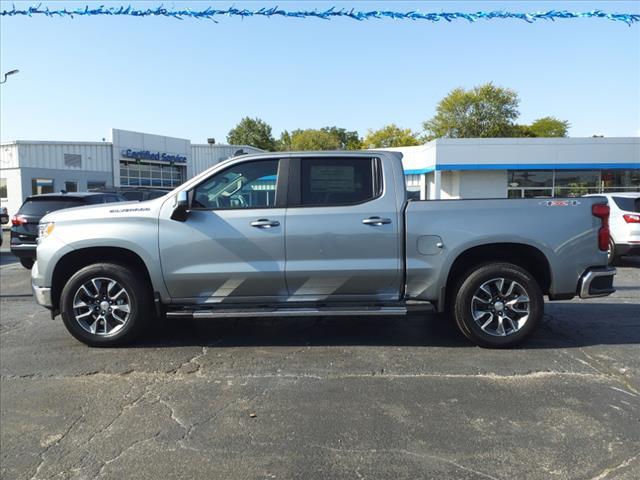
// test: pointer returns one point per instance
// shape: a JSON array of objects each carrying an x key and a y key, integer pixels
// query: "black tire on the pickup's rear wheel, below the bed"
[{"x": 463, "y": 305}]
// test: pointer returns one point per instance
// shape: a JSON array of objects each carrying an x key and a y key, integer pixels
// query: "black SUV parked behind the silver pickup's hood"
[{"x": 24, "y": 230}]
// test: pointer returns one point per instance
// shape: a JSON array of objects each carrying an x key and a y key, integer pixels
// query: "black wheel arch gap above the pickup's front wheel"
[{"x": 80, "y": 258}]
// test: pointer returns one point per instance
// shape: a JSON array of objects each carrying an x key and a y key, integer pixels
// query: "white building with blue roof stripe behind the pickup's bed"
[{"x": 521, "y": 167}]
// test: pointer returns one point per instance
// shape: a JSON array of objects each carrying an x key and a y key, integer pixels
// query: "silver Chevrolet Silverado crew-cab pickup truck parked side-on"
[{"x": 317, "y": 233}]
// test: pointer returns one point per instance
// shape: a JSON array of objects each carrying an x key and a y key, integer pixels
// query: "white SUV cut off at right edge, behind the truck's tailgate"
[{"x": 624, "y": 223}]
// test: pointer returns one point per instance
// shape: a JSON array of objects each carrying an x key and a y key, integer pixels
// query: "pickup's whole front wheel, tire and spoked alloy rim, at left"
[{"x": 106, "y": 304}]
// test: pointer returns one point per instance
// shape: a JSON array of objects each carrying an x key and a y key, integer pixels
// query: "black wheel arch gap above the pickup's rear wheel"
[{"x": 526, "y": 256}]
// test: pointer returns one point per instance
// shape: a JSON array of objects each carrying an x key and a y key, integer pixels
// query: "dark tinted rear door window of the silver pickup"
[{"x": 337, "y": 181}]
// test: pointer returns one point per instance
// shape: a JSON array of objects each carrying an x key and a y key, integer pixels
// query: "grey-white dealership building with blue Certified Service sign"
[{"x": 128, "y": 159}]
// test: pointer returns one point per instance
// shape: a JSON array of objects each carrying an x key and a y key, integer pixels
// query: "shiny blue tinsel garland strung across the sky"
[{"x": 212, "y": 13}]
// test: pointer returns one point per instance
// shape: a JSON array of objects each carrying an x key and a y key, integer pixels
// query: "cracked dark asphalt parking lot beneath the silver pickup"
[{"x": 323, "y": 398}]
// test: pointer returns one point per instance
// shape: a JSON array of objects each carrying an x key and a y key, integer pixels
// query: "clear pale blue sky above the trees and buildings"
[{"x": 196, "y": 79}]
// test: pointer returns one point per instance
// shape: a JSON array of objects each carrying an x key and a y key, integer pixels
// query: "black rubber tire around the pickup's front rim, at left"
[{"x": 138, "y": 294}]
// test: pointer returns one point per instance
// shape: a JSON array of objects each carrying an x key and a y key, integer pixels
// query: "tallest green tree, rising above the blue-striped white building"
[{"x": 483, "y": 111}]
